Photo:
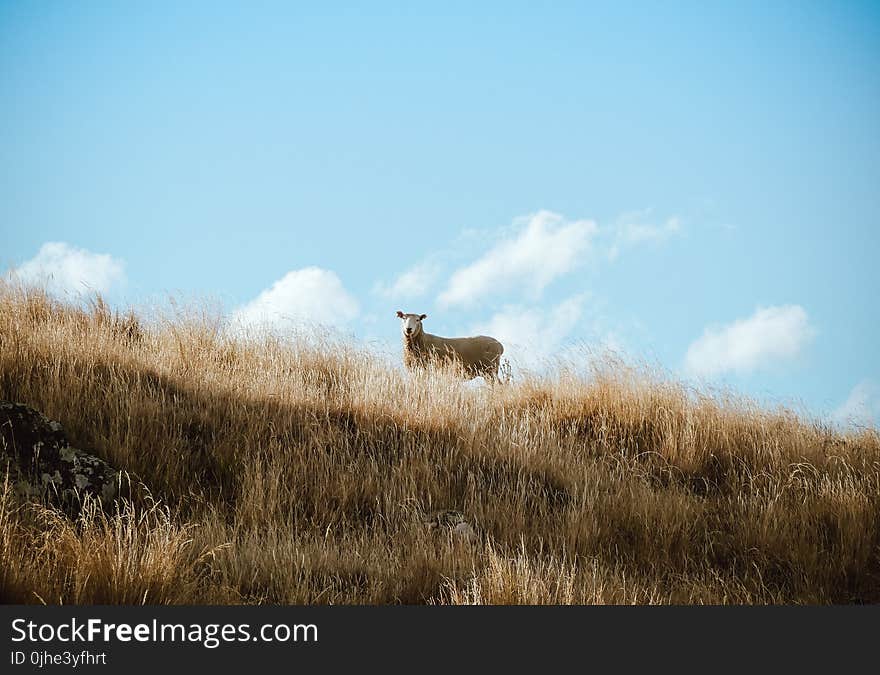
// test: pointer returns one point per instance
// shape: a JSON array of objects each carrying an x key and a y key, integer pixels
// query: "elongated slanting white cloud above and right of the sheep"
[{"x": 544, "y": 247}]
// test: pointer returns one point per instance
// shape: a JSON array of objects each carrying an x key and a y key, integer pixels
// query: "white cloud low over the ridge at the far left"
[{"x": 67, "y": 270}]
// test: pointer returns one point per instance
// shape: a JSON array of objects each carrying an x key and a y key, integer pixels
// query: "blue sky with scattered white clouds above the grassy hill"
[{"x": 693, "y": 183}]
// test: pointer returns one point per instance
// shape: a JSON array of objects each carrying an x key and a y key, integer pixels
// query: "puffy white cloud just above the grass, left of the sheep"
[{"x": 300, "y": 298}]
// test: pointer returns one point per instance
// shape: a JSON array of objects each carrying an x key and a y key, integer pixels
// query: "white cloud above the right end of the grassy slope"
[{"x": 769, "y": 335}]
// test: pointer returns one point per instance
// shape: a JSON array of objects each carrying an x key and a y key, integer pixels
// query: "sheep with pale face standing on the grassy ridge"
[{"x": 477, "y": 356}]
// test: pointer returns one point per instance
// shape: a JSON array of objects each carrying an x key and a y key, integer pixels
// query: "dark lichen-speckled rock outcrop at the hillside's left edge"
[{"x": 42, "y": 464}]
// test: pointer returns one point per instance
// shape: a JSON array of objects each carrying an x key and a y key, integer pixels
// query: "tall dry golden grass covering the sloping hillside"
[{"x": 302, "y": 473}]
